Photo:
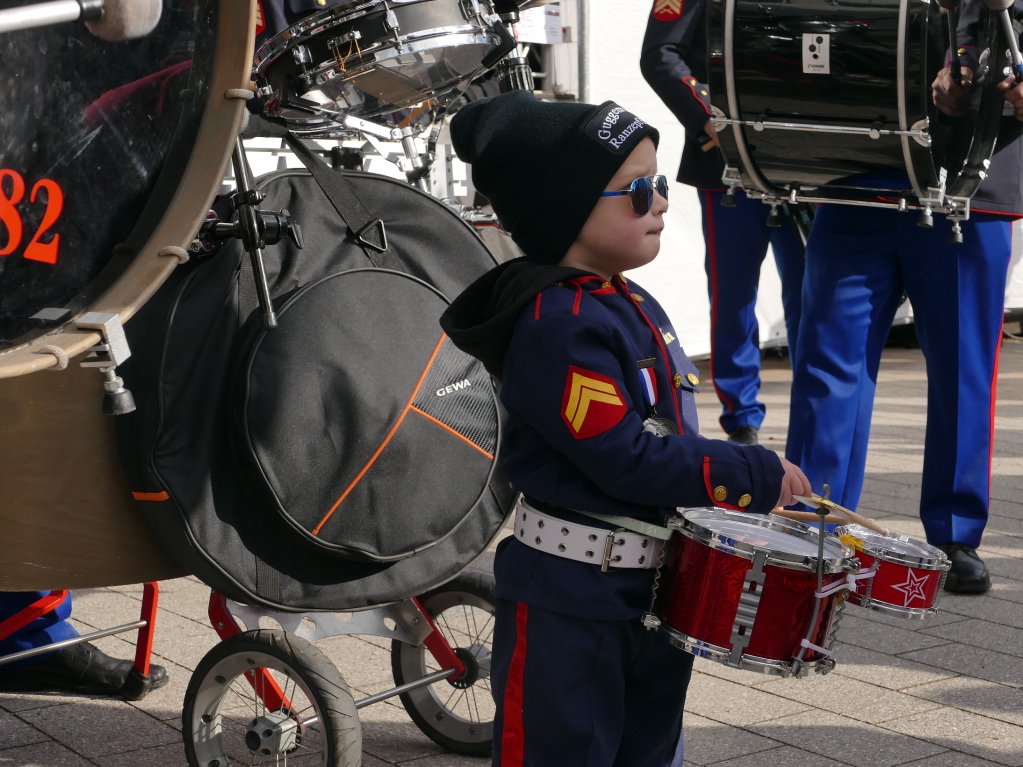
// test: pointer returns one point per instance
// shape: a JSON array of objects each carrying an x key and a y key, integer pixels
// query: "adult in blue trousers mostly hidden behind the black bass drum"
[{"x": 675, "y": 63}]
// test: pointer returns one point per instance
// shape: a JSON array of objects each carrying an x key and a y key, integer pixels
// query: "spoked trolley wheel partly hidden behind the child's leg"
[{"x": 458, "y": 715}]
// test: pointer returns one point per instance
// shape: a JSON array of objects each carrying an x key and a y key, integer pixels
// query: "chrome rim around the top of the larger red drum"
[{"x": 693, "y": 530}]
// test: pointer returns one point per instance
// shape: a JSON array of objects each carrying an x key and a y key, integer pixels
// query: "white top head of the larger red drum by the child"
[{"x": 792, "y": 545}]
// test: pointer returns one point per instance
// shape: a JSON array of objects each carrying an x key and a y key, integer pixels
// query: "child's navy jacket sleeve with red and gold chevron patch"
[{"x": 573, "y": 379}]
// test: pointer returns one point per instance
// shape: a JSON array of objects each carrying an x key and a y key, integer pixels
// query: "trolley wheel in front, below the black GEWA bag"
[{"x": 227, "y": 725}]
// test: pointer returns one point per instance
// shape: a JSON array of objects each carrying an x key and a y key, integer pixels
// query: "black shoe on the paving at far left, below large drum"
[{"x": 80, "y": 668}]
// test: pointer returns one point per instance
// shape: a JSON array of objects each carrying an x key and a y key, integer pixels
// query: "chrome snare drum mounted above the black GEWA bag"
[{"x": 370, "y": 58}]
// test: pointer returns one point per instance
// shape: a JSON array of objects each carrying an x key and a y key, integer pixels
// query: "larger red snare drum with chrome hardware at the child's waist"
[{"x": 741, "y": 589}]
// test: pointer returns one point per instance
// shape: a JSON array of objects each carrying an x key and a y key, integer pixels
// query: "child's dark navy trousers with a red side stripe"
[{"x": 577, "y": 693}]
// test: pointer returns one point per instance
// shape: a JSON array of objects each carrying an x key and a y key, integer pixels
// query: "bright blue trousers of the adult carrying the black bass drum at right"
[{"x": 860, "y": 262}]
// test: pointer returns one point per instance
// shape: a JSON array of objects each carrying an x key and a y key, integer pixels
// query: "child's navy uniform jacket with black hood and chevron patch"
[{"x": 569, "y": 349}]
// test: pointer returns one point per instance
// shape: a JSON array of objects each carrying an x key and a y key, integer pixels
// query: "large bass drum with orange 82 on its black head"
[{"x": 111, "y": 156}]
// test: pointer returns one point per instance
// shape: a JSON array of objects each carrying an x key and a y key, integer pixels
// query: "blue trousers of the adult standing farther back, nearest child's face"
[{"x": 737, "y": 241}]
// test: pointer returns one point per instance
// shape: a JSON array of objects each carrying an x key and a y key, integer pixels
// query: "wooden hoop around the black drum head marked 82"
[{"x": 212, "y": 152}]
